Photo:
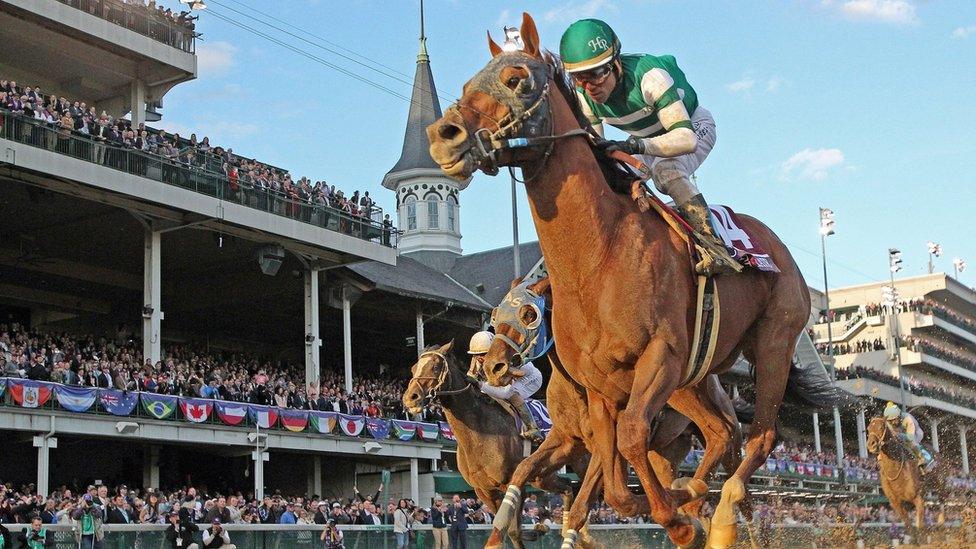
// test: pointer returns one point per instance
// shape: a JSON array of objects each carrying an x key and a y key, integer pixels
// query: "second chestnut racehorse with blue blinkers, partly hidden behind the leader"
[{"x": 519, "y": 322}]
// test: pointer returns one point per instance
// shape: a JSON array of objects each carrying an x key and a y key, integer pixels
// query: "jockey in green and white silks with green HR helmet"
[{"x": 648, "y": 97}]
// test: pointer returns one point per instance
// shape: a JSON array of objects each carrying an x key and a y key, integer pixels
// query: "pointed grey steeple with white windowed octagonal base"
[{"x": 427, "y": 200}]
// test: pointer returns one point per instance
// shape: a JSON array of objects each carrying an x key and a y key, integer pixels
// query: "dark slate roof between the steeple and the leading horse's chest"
[{"x": 493, "y": 269}]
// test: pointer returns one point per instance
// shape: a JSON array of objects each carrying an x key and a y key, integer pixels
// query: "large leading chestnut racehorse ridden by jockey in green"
[{"x": 623, "y": 290}]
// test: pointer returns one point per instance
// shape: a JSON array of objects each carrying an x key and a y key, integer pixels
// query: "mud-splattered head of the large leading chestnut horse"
[{"x": 507, "y": 99}]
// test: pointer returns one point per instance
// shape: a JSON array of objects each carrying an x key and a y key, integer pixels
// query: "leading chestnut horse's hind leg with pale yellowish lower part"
[{"x": 771, "y": 353}]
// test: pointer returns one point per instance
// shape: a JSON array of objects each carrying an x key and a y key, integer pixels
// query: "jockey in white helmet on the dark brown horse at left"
[{"x": 526, "y": 380}]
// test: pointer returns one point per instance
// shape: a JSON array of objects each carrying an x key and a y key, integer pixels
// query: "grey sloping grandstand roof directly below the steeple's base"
[{"x": 412, "y": 278}]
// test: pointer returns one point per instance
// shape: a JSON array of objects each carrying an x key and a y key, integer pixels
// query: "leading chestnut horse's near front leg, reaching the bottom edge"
[{"x": 656, "y": 376}]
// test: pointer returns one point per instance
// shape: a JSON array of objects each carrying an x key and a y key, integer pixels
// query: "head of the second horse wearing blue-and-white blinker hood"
[{"x": 517, "y": 320}]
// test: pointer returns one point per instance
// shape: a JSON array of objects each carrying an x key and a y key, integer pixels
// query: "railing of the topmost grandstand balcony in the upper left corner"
[{"x": 139, "y": 19}]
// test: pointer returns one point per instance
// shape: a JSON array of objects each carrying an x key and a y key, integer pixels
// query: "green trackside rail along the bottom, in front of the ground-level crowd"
[{"x": 279, "y": 536}]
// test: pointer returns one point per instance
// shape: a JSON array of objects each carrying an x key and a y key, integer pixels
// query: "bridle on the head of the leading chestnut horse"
[{"x": 487, "y": 145}]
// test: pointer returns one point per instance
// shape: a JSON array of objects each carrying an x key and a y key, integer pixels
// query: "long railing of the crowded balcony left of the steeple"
[{"x": 36, "y": 133}]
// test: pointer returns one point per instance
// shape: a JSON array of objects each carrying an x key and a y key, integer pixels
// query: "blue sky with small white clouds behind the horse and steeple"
[{"x": 864, "y": 106}]
